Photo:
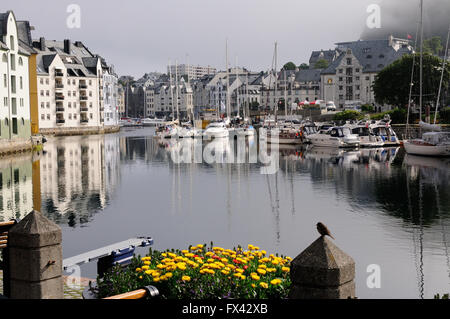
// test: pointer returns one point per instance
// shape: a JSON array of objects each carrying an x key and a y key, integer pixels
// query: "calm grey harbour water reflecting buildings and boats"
[{"x": 383, "y": 207}]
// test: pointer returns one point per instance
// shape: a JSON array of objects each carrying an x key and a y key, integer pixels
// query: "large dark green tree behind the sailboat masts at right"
[{"x": 392, "y": 84}]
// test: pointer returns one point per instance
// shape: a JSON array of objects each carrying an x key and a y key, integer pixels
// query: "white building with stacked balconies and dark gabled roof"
[{"x": 70, "y": 86}]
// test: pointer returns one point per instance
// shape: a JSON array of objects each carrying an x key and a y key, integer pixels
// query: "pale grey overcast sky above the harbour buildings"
[{"x": 140, "y": 36}]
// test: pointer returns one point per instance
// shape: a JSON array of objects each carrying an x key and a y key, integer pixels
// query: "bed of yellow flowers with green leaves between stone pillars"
[{"x": 203, "y": 273}]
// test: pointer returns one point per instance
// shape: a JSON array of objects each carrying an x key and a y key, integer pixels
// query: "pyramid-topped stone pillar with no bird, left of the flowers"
[{"x": 35, "y": 255}]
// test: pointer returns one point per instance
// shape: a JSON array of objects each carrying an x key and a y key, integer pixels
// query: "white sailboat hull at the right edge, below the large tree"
[{"x": 431, "y": 144}]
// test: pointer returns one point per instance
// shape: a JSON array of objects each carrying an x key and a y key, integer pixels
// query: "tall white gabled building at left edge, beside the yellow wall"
[{"x": 15, "y": 80}]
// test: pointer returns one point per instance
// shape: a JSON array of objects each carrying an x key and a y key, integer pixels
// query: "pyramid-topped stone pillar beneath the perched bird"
[{"x": 322, "y": 271}]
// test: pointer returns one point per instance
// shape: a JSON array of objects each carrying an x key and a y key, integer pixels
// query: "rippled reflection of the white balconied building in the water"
[{"x": 77, "y": 176}]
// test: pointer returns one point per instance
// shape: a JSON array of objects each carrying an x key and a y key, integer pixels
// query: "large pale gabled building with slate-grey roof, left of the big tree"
[{"x": 348, "y": 80}]
